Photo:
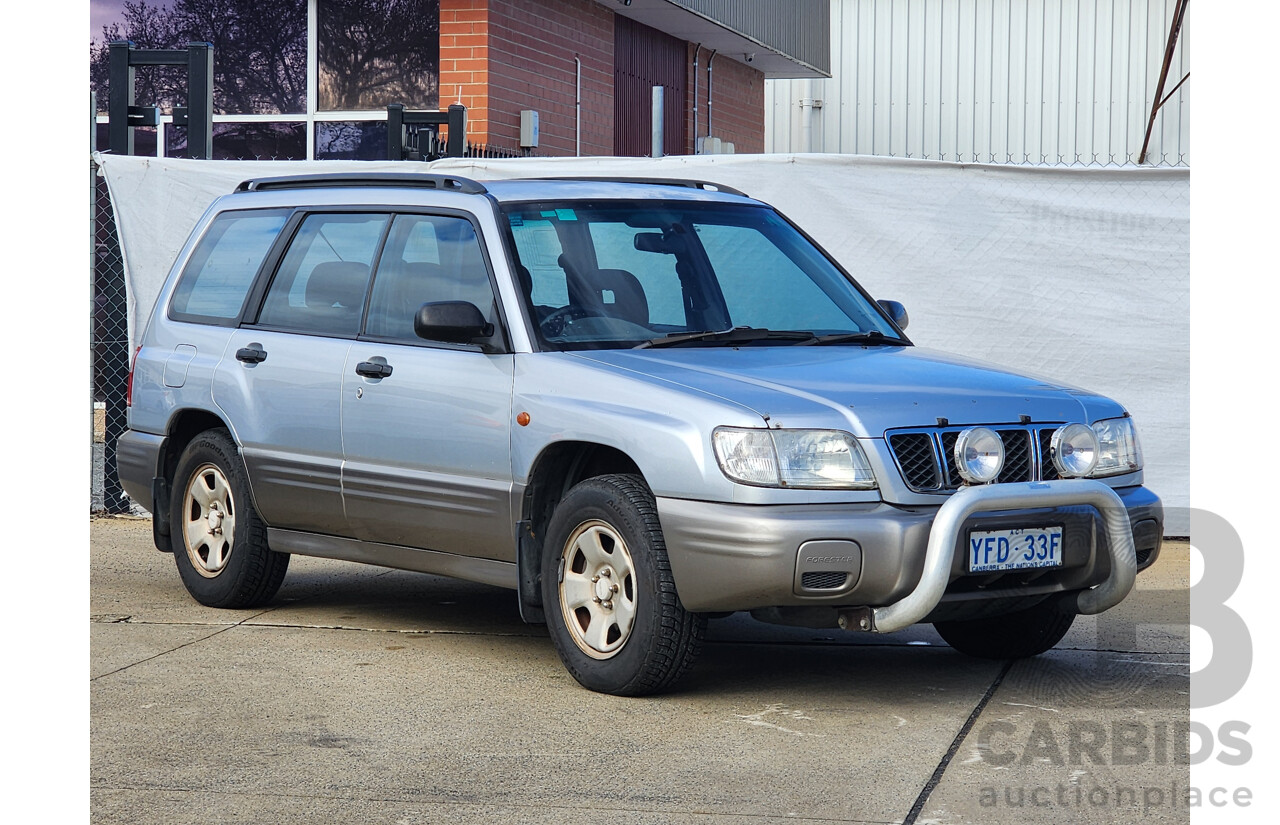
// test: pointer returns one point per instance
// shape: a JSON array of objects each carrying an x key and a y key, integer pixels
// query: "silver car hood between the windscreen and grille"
[{"x": 862, "y": 389}]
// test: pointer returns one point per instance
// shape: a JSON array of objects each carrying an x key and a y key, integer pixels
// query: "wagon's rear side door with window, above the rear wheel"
[{"x": 281, "y": 379}]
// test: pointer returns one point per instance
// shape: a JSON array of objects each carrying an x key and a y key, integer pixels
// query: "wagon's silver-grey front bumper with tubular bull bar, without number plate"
[{"x": 733, "y": 557}]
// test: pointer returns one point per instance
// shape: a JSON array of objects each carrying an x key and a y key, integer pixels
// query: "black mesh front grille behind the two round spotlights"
[{"x": 921, "y": 453}]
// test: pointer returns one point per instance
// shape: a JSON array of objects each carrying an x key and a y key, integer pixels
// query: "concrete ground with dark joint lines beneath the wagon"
[{"x": 367, "y": 695}]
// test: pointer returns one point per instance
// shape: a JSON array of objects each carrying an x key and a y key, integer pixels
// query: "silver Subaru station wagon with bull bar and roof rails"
[{"x": 637, "y": 405}]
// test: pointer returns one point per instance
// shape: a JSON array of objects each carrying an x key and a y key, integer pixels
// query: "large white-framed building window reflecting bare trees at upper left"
[{"x": 278, "y": 95}]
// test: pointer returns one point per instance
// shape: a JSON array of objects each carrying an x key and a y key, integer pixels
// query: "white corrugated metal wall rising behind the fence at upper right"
[{"x": 991, "y": 81}]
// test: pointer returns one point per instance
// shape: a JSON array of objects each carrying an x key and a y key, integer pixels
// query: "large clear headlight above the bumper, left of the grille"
[{"x": 793, "y": 459}]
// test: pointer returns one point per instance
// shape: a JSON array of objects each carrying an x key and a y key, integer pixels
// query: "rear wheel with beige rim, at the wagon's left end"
[{"x": 220, "y": 574}]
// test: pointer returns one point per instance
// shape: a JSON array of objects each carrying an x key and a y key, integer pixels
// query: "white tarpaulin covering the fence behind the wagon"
[{"x": 1078, "y": 276}]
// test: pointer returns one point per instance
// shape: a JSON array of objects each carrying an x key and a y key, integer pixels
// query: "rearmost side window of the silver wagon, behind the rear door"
[{"x": 218, "y": 277}]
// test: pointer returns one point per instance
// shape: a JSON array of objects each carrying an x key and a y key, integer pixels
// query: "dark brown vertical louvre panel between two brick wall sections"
[{"x": 644, "y": 58}]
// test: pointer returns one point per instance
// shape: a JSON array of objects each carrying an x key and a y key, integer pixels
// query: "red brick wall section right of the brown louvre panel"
[{"x": 738, "y": 103}]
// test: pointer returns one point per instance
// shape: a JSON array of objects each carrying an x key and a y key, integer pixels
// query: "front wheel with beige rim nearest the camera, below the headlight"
[{"x": 616, "y": 520}]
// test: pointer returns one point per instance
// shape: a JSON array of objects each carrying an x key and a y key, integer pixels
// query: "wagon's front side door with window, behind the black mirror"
[{"x": 428, "y": 444}]
